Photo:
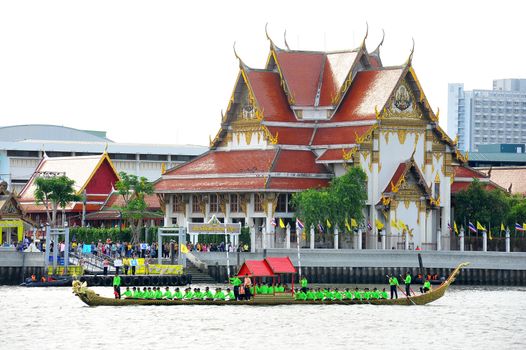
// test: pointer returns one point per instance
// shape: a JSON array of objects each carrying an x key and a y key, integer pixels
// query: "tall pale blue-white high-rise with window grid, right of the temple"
[{"x": 481, "y": 117}]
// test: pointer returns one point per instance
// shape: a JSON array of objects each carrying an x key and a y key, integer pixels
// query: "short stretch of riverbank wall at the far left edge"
[{"x": 15, "y": 265}]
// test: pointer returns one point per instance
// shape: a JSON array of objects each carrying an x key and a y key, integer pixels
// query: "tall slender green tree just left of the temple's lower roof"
[{"x": 133, "y": 189}]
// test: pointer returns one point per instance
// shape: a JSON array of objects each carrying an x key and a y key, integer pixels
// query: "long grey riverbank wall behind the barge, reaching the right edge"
[{"x": 372, "y": 266}]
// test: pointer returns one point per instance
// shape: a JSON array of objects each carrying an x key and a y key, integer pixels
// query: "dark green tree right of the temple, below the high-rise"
[{"x": 478, "y": 204}]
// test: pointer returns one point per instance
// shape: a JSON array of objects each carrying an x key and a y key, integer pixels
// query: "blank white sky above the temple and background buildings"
[{"x": 162, "y": 71}]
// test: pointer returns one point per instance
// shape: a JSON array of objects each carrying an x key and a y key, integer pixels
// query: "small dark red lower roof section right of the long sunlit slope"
[{"x": 290, "y": 161}]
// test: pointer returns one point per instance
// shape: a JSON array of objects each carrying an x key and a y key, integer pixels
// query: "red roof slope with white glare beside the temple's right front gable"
[{"x": 368, "y": 89}]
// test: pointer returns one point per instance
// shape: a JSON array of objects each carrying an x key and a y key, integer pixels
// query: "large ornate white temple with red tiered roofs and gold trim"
[{"x": 304, "y": 119}]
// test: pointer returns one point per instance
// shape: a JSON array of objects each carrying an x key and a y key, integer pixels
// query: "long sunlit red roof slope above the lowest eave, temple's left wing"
[{"x": 223, "y": 162}]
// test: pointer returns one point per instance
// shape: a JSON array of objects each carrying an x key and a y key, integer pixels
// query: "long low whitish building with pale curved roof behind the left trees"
[{"x": 23, "y": 146}]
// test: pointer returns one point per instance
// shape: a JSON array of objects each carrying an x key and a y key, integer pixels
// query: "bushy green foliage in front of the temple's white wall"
[{"x": 343, "y": 199}]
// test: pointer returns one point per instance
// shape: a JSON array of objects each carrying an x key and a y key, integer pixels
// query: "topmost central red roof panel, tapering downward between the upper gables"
[{"x": 301, "y": 70}]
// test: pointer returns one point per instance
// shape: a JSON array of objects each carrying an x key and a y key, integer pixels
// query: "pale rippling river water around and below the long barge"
[{"x": 465, "y": 318}]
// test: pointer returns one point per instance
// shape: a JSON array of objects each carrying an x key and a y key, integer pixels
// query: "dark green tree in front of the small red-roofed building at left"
[{"x": 56, "y": 192}]
